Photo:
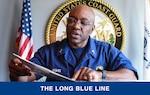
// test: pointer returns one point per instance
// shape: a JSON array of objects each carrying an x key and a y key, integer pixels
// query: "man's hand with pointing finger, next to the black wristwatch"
[{"x": 87, "y": 74}]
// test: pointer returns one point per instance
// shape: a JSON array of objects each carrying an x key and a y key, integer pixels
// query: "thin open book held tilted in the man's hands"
[{"x": 42, "y": 70}]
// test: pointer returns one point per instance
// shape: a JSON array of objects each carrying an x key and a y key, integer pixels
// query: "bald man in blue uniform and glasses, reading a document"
[{"x": 78, "y": 56}]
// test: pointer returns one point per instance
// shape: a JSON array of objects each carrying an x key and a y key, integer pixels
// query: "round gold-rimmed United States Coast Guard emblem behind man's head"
[{"x": 108, "y": 25}]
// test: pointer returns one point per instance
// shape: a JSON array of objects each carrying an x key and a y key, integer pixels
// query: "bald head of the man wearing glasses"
[{"x": 80, "y": 25}]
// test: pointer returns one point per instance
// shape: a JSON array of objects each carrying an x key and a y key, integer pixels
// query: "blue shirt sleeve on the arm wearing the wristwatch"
[{"x": 118, "y": 60}]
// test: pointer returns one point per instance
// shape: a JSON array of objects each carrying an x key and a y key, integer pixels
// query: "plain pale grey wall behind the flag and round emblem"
[{"x": 131, "y": 12}]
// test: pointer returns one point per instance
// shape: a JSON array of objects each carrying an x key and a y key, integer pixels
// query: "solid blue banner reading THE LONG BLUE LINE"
[{"x": 69, "y": 88}]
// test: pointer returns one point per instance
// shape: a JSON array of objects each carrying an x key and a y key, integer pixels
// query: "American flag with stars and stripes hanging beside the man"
[{"x": 24, "y": 40}]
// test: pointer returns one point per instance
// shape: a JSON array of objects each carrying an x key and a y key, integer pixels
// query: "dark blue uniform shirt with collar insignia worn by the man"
[{"x": 59, "y": 57}]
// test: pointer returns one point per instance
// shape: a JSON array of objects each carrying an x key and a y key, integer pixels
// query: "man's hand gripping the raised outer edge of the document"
[{"x": 17, "y": 68}]
